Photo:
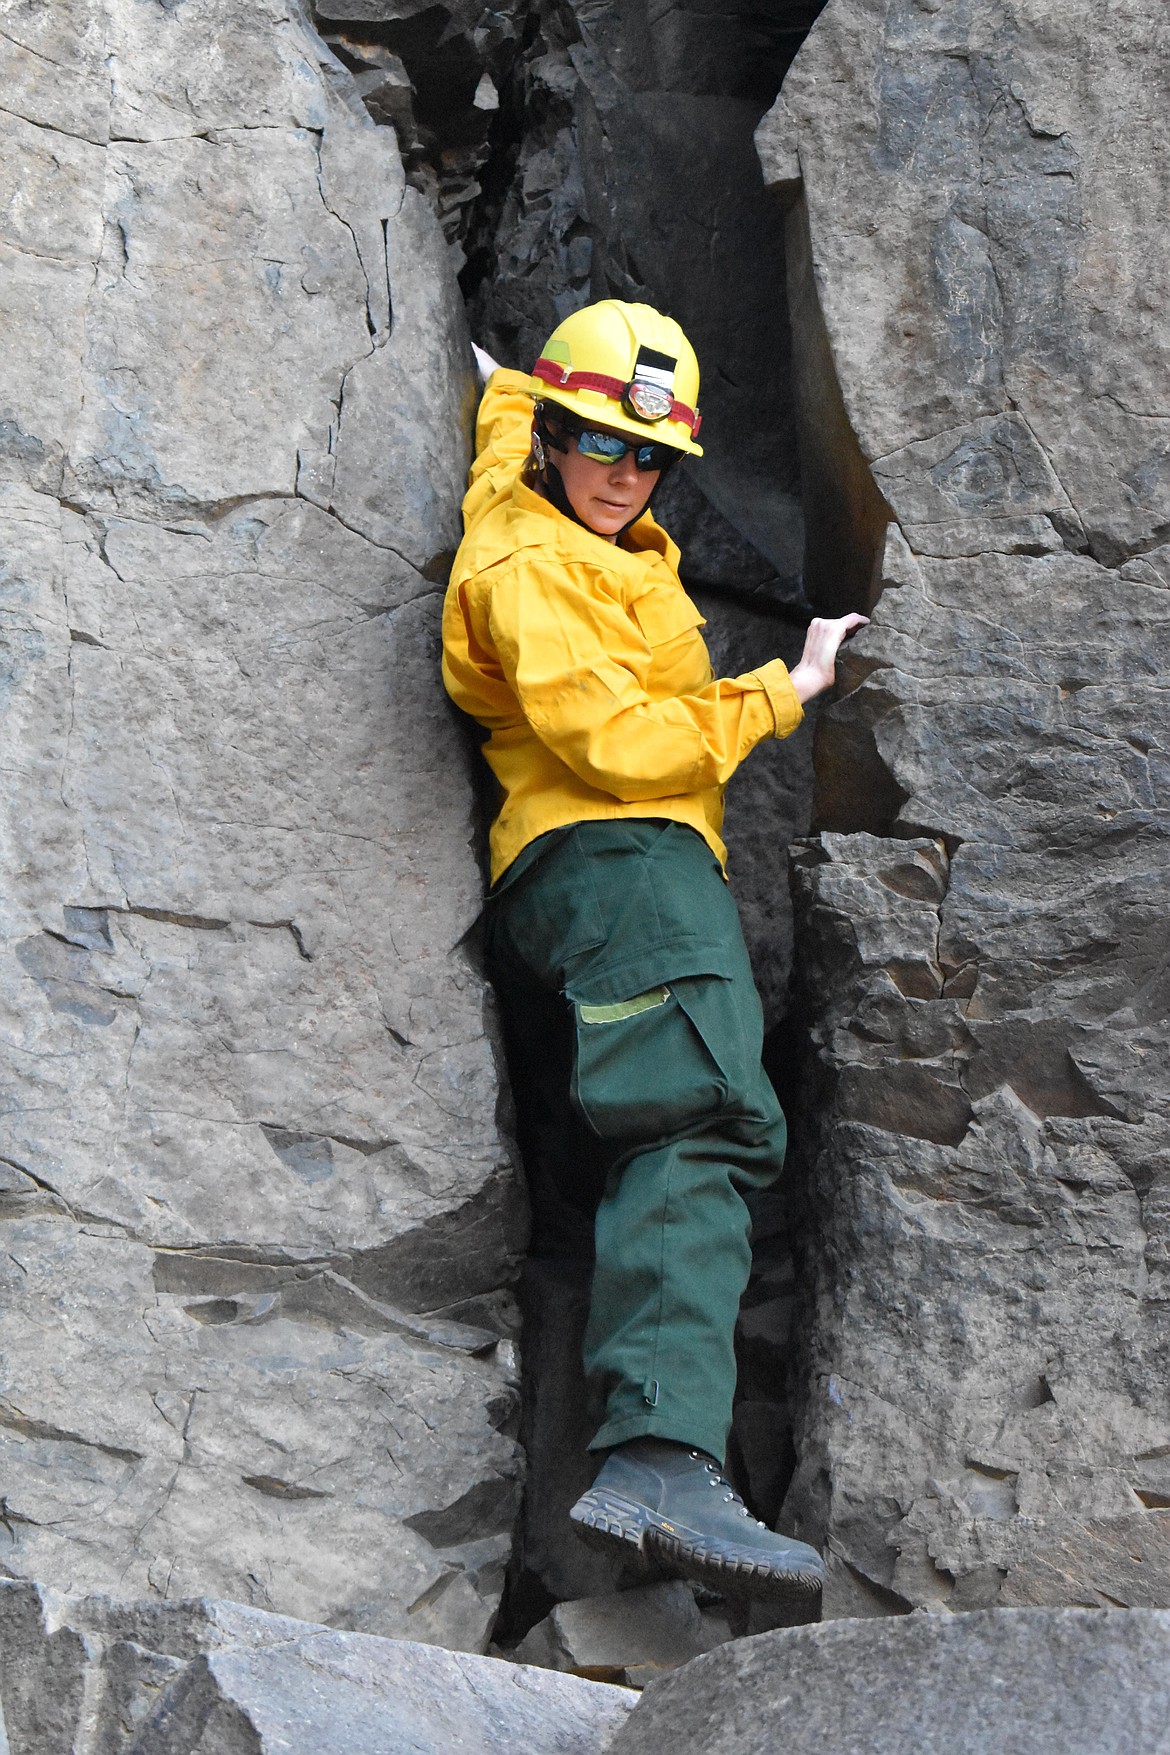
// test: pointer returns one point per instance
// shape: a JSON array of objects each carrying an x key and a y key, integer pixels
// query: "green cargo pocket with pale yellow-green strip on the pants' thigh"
[{"x": 643, "y": 1068}]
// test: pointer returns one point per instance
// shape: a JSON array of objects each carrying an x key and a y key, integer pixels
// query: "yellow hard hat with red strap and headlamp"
[{"x": 627, "y": 368}]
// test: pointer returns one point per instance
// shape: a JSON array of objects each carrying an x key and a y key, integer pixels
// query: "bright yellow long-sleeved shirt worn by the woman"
[{"x": 583, "y": 659}]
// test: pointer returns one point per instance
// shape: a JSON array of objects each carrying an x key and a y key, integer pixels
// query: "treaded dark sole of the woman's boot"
[{"x": 604, "y": 1521}]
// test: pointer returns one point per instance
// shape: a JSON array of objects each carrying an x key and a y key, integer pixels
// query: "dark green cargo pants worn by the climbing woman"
[{"x": 634, "y": 1036}]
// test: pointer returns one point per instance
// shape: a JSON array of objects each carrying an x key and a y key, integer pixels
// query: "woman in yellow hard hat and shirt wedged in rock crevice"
[{"x": 632, "y": 1019}]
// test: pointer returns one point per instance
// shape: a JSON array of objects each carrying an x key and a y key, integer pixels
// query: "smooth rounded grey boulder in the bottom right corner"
[{"x": 999, "y": 1682}]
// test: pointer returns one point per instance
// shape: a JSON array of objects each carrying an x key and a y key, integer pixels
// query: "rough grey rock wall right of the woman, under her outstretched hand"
[{"x": 978, "y": 280}]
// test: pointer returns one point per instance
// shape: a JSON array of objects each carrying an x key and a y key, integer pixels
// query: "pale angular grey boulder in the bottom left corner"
[{"x": 218, "y": 1679}]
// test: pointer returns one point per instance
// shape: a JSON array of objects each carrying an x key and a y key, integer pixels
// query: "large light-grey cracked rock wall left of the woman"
[{"x": 255, "y": 1208}]
